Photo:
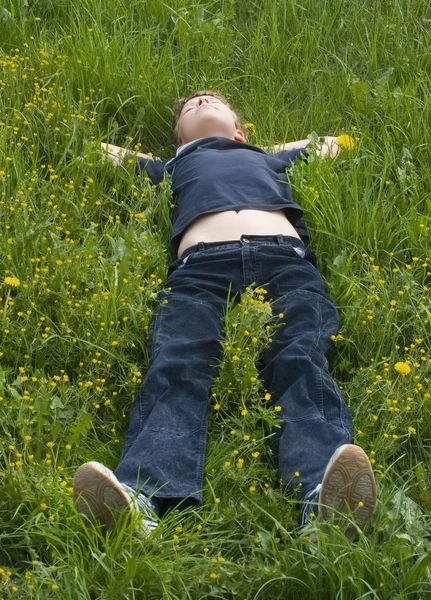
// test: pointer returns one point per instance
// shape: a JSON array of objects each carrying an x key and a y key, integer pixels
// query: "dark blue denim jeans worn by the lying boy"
[{"x": 164, "y": 449}]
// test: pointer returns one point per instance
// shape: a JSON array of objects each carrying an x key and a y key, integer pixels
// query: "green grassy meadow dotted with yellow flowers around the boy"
[{"x": 84, "y": 250}]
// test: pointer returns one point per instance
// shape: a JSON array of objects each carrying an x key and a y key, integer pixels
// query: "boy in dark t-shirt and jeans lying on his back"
[{"x": 235, "y": 224}]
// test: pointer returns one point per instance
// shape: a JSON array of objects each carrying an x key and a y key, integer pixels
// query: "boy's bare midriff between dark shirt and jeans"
[{"x": 232, "y": 224}]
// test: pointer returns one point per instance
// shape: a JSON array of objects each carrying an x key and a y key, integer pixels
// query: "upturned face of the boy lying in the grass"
[{"x": 206, "y": 116}]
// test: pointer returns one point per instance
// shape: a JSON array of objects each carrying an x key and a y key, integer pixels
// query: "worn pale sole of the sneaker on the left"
[{"x": 98, "y": 494}]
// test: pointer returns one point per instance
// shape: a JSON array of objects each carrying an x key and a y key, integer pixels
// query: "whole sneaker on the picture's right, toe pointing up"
[{"x": 348, "y": 487}]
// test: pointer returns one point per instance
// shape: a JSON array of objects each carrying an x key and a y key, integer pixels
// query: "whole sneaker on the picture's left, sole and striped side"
[{"x": 99, "y": 496}]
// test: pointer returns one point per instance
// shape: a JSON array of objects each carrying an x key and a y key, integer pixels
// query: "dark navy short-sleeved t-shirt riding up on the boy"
[{"x": 216, "y": 174}]
